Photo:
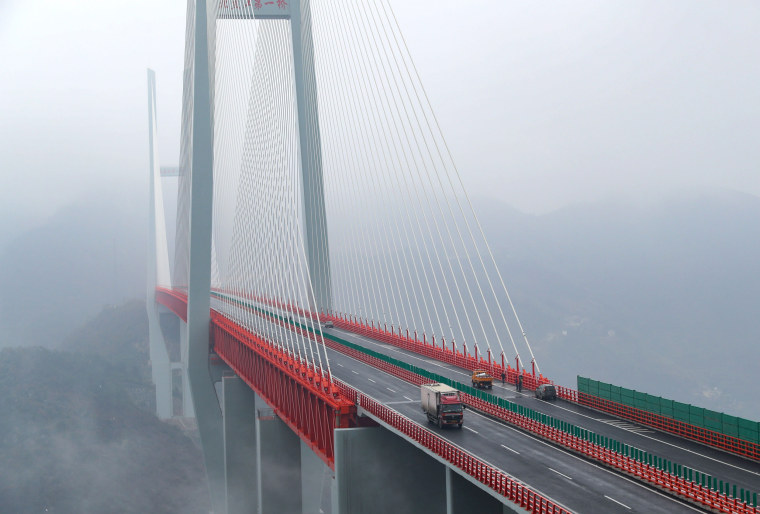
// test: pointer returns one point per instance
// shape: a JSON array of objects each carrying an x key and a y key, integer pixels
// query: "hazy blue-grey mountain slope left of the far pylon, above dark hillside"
[{"x": 53, "y": 277}]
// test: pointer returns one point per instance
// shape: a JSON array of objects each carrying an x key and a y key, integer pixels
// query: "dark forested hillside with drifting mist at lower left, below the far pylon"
[{"x": 78, "y": 431}]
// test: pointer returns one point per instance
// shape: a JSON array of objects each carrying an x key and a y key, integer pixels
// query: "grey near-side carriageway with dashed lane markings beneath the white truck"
[{"x": 573, "y": 482}]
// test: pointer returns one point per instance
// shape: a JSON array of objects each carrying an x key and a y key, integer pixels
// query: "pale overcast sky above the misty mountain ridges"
[{"x": 544, "y": 104}]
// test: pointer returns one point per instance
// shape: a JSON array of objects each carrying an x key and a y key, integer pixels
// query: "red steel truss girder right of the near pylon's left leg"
[{"x": 287, "y": 384}]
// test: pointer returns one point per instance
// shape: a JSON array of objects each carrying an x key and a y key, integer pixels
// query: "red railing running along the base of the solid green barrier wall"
[{"x": 680, "y": 428}]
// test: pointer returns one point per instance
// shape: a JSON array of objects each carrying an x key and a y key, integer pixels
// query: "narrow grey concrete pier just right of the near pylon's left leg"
[{"x": 240, "y": 450}]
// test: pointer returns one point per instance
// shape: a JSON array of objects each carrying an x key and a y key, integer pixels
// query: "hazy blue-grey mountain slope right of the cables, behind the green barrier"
[{"x": 661, "y": 298}]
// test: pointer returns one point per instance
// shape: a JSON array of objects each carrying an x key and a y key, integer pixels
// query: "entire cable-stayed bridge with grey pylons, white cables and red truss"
[{"x": 326, "y": 261}]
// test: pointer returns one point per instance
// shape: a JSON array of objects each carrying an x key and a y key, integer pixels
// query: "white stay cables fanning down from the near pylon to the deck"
[{"x": 403, "y": 247}]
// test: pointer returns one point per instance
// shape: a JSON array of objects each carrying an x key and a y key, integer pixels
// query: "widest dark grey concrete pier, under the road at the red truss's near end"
[{"x": 378, "y": 472}]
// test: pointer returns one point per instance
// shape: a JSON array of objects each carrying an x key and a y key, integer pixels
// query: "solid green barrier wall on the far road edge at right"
[{"x": 725, "y": 424}]
